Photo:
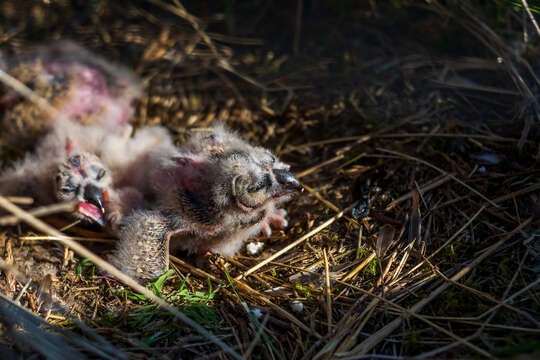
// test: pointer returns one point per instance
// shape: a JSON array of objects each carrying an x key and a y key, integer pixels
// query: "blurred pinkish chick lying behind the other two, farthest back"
[{"x": 81, "y": 86}]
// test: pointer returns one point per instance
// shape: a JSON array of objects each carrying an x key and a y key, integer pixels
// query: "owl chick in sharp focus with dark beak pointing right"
[{"x": 205, "y": 200}]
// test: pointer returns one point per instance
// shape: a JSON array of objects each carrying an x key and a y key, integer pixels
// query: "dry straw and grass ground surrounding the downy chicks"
[{"x": 417, "y": 235}]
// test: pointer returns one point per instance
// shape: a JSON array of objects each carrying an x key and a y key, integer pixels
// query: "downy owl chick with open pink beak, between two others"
[{"x": 93, "y": 165}]
